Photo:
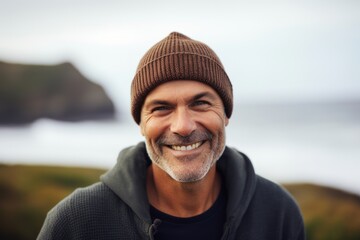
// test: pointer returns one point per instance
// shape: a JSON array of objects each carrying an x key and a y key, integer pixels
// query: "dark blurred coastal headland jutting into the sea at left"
[{"x": 60, "y": 92}]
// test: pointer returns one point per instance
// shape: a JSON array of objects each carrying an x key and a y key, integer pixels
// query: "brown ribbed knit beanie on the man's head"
[{"x": 178, "y": 57}]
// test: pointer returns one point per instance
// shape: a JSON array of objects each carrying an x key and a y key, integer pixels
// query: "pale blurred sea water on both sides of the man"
[{"x": 317, "y": 143}]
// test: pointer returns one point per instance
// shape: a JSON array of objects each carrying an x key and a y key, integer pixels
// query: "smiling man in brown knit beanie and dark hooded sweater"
[{"x": 183, "y": 182}]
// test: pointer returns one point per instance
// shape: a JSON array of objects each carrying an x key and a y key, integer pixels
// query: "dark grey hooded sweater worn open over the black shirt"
[{"x": 118, "y": 208}]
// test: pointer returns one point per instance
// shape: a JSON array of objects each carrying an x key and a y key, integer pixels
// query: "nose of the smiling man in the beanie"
[{"x": 182, "y": 123}]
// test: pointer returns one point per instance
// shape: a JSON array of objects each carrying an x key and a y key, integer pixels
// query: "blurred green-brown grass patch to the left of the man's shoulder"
[{"x": 29, "y": 192}]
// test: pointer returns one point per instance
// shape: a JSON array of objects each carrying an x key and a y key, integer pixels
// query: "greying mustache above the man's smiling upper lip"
[{"x": 175, "y": 139}]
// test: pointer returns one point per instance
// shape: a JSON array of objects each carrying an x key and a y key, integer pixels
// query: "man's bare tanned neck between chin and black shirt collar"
[{"x": 182, "y": 199}]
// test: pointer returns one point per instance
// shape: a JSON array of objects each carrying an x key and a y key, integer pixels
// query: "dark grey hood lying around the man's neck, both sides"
[{"x": 127, "y": 179}]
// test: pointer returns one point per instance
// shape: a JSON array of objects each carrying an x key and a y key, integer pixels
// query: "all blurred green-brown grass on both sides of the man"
[{"x": 29, "y": 192}]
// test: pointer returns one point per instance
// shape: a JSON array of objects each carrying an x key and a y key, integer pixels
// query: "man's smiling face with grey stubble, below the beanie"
[{"x": 184, "y": 126}]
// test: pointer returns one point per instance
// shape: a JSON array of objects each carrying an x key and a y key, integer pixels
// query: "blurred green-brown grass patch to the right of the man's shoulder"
[{"x": 329, "y": 214}]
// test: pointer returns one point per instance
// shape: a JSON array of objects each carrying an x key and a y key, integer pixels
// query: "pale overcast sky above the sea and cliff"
[{"x": 272, "y": 50}]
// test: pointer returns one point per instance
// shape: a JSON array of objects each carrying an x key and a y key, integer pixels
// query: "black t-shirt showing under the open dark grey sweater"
[{"x": 208, "y": 225}]
